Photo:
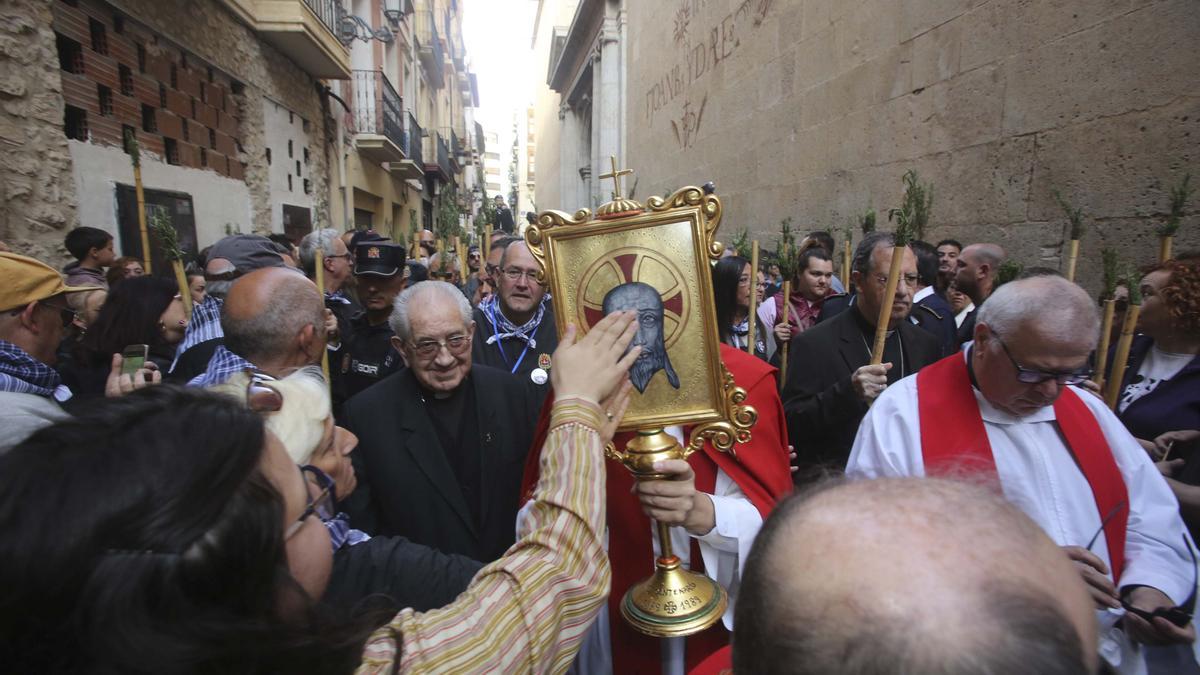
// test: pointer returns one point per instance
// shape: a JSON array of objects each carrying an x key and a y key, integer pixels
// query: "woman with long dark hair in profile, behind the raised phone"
[{"x": 141, "y": 310}]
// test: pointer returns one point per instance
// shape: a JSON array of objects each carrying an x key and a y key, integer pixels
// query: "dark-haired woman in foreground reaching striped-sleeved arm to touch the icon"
[{"x": 171, "y": 531}]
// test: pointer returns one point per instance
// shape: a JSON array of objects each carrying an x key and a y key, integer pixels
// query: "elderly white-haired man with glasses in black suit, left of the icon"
[{"x": 442, "y": 443}]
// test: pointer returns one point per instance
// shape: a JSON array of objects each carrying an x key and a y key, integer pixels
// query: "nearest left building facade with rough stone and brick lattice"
[{"x": 223, "y": 98}]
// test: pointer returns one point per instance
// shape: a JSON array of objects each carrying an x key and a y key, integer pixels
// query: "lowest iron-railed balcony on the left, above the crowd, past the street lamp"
[{"x": 379, "y": 118}]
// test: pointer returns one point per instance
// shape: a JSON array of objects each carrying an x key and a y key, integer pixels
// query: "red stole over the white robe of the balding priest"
[{"x": 953, "y": 441}]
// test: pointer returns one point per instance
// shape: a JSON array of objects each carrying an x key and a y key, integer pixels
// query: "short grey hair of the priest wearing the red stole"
[{"x": 1057, "y": 309}]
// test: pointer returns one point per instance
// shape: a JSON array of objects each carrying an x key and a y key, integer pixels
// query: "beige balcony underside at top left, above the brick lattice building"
[{"x": 304, "y": 31}]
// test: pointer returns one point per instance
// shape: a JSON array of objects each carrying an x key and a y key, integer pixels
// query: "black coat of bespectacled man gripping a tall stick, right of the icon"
[{"x": 823, "y": 410}]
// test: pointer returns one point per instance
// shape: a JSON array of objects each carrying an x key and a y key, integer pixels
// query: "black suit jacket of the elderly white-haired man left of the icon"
[{"x": 407, "y": 487}]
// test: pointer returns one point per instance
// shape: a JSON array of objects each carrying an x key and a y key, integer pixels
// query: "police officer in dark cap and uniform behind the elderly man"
[{"x": 368, "y": 356}]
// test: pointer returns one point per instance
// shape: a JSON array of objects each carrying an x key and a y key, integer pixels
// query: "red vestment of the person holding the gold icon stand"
[{"x": 760, "y": 469}]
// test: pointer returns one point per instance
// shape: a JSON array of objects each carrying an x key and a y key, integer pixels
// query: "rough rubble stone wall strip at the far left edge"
[{"x": 37, "y": 187}]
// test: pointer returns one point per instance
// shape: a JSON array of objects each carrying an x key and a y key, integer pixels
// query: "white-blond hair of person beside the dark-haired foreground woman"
[{"x": 301, "y": 423}]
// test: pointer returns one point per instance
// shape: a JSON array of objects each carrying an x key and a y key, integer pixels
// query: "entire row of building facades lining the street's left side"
[{"x": 249, "y": 117}]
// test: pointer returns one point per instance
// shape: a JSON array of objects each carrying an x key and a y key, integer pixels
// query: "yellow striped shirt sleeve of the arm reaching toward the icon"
[{"x": 530, "y": 611}]
